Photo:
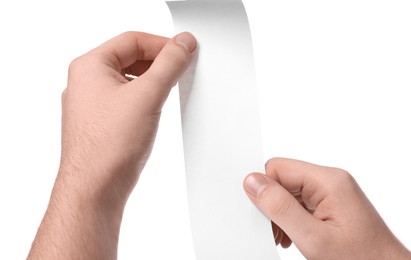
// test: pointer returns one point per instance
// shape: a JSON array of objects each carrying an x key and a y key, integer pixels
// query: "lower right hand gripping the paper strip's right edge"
[{"x": 323, "y": 211}]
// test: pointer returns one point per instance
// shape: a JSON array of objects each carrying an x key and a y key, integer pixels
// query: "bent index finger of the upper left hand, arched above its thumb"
[{"x": 125, "y": 49}]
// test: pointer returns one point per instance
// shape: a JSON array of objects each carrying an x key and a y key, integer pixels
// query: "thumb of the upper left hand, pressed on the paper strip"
[{"x": 168, "y": 66}]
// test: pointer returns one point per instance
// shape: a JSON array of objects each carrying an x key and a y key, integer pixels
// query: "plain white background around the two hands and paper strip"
[{"x": 334, "y": 84}]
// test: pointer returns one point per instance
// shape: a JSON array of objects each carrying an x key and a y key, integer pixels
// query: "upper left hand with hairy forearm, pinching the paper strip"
[{"x": 109, "y": 124}]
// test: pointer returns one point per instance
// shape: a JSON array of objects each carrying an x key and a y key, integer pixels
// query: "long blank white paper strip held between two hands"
[{"x": 221, "y": 133}]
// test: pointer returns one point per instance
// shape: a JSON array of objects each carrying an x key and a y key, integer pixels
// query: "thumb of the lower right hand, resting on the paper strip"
[{"x": 281, "y": 207}]
